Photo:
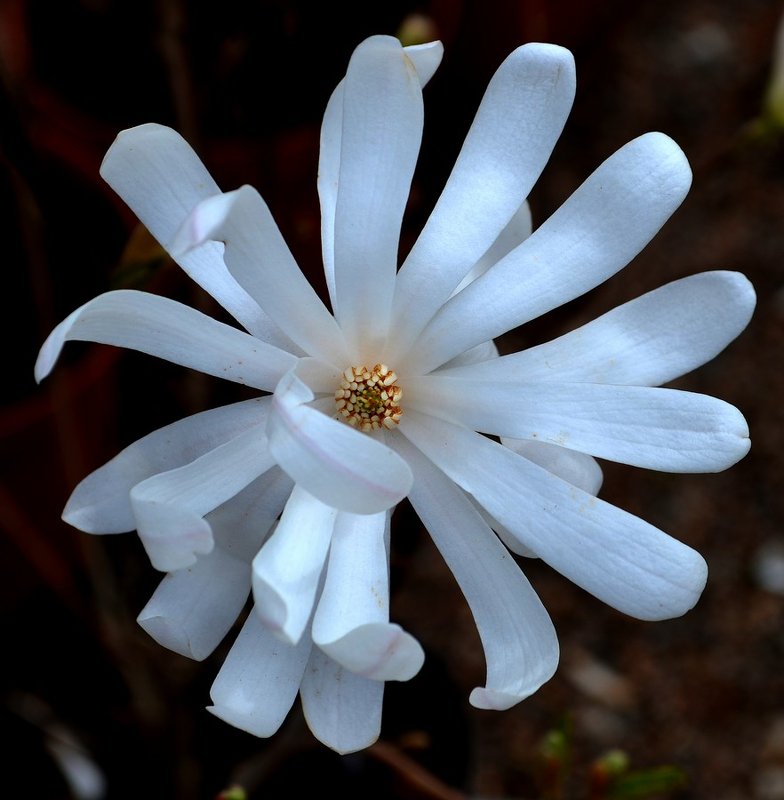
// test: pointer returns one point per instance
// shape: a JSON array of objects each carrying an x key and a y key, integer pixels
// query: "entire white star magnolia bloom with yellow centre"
[{"x": 389, "y": 396}]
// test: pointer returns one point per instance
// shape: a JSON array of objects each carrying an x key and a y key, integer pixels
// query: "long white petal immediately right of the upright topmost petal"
[{"x": 516, "y": 127}]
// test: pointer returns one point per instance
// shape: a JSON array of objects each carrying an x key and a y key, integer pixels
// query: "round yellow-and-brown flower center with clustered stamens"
[{"x": 368, "y": 399}]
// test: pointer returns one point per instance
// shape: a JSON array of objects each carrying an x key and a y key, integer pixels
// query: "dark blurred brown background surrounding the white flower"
[{"x": 246, "y": 81}]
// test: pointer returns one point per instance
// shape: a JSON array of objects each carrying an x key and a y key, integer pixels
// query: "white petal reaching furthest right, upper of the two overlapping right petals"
[{"x": 650, "y": 340}]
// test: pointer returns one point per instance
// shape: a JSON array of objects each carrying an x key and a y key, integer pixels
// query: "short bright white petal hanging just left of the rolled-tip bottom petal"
[{"x": 287, "y": 569}]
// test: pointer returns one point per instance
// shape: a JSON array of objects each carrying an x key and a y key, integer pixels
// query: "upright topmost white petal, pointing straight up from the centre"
[{"x": 380, "y": 138}]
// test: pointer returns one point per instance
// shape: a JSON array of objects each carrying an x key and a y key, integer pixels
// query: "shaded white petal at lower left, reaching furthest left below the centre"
[{"x": 101, "y": 503}]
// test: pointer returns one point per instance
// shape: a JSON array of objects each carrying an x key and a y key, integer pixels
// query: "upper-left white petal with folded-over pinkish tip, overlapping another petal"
[{"x": 259, "y": 258}]
